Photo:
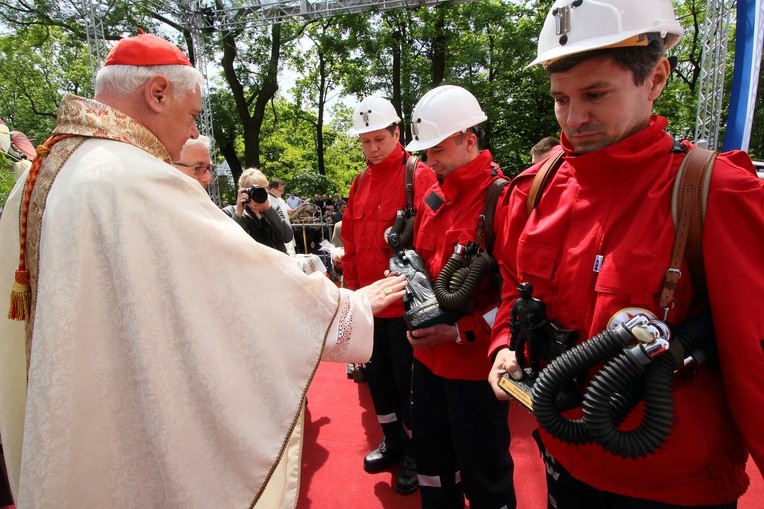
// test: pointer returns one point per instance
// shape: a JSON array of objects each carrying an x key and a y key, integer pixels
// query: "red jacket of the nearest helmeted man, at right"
[{"x": 615, "y": 203}]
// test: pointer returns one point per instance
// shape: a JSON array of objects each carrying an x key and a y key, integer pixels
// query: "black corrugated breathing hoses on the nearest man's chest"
[{"x": 642, "y": 372}]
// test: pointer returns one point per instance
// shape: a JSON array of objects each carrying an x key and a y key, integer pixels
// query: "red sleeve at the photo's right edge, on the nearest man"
[{"x": 732, "y": 257}]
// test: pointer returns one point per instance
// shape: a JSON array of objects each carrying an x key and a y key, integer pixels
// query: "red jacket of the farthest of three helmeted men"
[{"x": 372, "y": 205}]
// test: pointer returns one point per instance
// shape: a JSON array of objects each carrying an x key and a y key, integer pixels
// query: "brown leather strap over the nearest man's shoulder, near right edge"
[{"x": 688, "y": 207}]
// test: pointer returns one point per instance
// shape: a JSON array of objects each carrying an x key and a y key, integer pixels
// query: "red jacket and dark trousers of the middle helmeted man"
[{"x": 460, "y": 429}]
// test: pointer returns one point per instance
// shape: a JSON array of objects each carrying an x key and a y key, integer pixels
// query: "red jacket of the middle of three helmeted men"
[{"x": 439, "y": 229}]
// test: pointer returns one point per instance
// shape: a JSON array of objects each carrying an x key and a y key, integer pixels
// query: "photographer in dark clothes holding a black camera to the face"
[{"x": 256, "y": 214}]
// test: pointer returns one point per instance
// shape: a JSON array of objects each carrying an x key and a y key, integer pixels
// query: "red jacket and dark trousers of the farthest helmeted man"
[{"x": 371, "y": 210}]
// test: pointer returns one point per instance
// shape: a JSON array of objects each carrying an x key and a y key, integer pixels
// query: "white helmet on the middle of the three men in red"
[{"x": 441, "y": 112}]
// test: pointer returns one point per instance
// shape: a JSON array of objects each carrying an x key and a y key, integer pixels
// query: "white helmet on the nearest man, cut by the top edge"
[{"x": 576, "y": 26}]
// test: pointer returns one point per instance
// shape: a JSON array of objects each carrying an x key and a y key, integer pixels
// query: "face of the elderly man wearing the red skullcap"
[{"x": 178, "y": 122}]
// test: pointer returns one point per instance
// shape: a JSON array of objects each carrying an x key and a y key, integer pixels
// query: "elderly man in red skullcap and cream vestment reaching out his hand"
[{"x": 164, "y": 356}]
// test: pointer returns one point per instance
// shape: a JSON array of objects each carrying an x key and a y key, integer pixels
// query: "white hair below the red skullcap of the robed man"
[{"x": 125, "y": 79}]
